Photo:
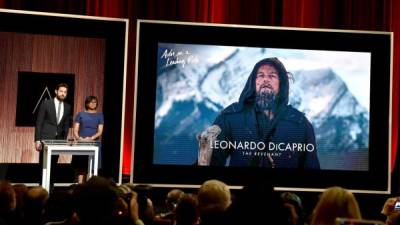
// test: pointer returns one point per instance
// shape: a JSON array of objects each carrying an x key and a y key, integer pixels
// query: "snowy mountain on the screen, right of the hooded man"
[{"x": 341, "y": 124}]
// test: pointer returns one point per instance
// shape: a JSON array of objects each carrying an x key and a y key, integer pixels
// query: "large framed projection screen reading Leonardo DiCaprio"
[{"x": 330, "y": 127}]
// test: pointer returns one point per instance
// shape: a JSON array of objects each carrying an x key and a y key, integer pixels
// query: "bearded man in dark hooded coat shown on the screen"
[{"x": 262, "y": 129}]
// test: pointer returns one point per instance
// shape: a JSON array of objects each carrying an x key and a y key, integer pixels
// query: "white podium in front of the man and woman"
[{"x": 57, "y": 147}]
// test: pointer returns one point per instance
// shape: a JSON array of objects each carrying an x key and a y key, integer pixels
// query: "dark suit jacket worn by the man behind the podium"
[{"x": 46, "y": 122}]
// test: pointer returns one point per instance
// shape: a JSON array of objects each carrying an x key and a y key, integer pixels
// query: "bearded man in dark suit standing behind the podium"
[{"x": 53, "y": 121}]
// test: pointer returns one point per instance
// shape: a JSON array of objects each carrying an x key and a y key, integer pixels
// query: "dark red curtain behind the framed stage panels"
[{"x": 380, "y": 15}]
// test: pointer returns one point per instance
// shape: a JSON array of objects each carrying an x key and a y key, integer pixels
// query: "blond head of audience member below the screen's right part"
[{"x": 335, "y": 202}]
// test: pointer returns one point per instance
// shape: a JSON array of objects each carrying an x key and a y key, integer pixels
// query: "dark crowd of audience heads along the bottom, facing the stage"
[{"x": 99, "y": 201}]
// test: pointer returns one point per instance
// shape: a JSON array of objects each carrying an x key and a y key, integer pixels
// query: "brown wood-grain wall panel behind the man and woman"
[{"x": 83, "y": 57}]
